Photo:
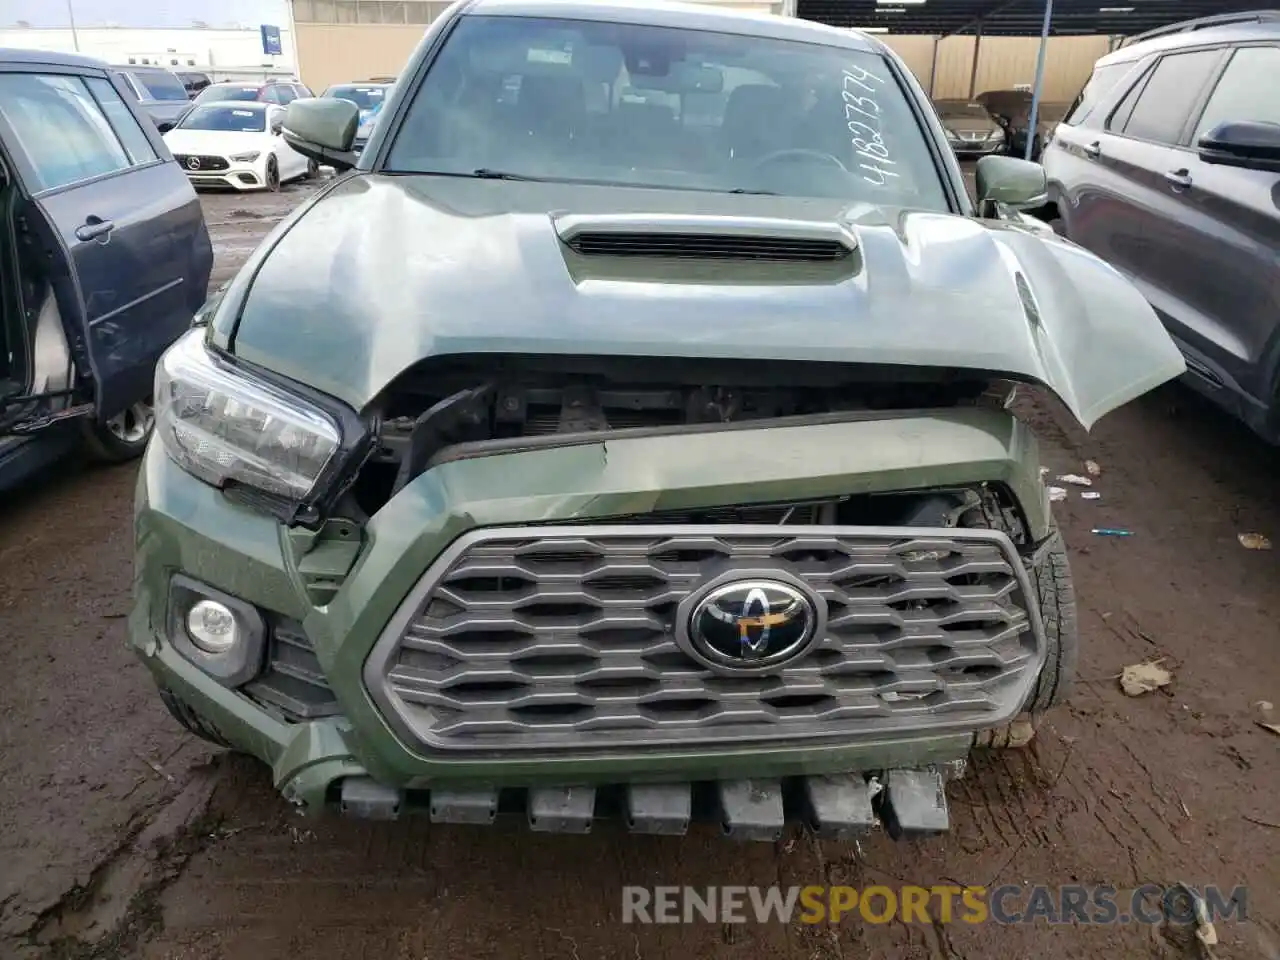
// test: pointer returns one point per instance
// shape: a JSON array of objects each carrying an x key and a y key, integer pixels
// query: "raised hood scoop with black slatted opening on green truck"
[{"x": 735, "y": 239}]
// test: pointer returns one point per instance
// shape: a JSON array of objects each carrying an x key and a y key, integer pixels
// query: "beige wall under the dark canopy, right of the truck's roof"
[{"x": 1003, "y": 62}]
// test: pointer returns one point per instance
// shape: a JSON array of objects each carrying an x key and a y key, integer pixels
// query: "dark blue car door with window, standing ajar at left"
[{"x": 120, "y": 226}]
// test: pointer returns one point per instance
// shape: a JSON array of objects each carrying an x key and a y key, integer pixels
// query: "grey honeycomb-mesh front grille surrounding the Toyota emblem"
[{"x": 565, "y": 639}]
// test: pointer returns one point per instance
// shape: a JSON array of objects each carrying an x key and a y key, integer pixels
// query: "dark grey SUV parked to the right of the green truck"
[{"x": 1169, "y": 168}]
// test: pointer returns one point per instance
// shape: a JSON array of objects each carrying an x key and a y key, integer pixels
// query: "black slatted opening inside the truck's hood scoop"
[{"x": 705, "y": 246}]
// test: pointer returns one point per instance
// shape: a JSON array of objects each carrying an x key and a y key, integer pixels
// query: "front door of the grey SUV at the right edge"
[{"x": 1223, "y": 299}]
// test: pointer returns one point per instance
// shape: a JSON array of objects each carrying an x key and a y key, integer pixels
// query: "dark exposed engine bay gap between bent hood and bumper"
[{"x": 481, "y": 405}]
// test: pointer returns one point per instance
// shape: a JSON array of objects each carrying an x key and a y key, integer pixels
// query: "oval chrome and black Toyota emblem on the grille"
[{"x": 749, "y": 625}]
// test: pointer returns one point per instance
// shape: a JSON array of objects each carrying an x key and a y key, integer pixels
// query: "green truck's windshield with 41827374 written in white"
[{"x": 655, "y": 107}]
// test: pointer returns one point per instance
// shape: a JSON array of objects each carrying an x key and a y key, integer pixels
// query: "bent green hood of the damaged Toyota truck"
[{"x": 382, "y": 272}]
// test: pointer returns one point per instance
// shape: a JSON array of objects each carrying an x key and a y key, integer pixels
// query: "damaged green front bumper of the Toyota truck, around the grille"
[{"x": 344, "y": 591}]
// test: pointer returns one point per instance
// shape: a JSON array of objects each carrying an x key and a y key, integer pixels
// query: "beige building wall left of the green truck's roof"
[{"x": 336, "y": 53}]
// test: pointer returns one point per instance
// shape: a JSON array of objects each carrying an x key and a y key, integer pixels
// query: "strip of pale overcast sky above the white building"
[{"x": 144, "y": 13}]
